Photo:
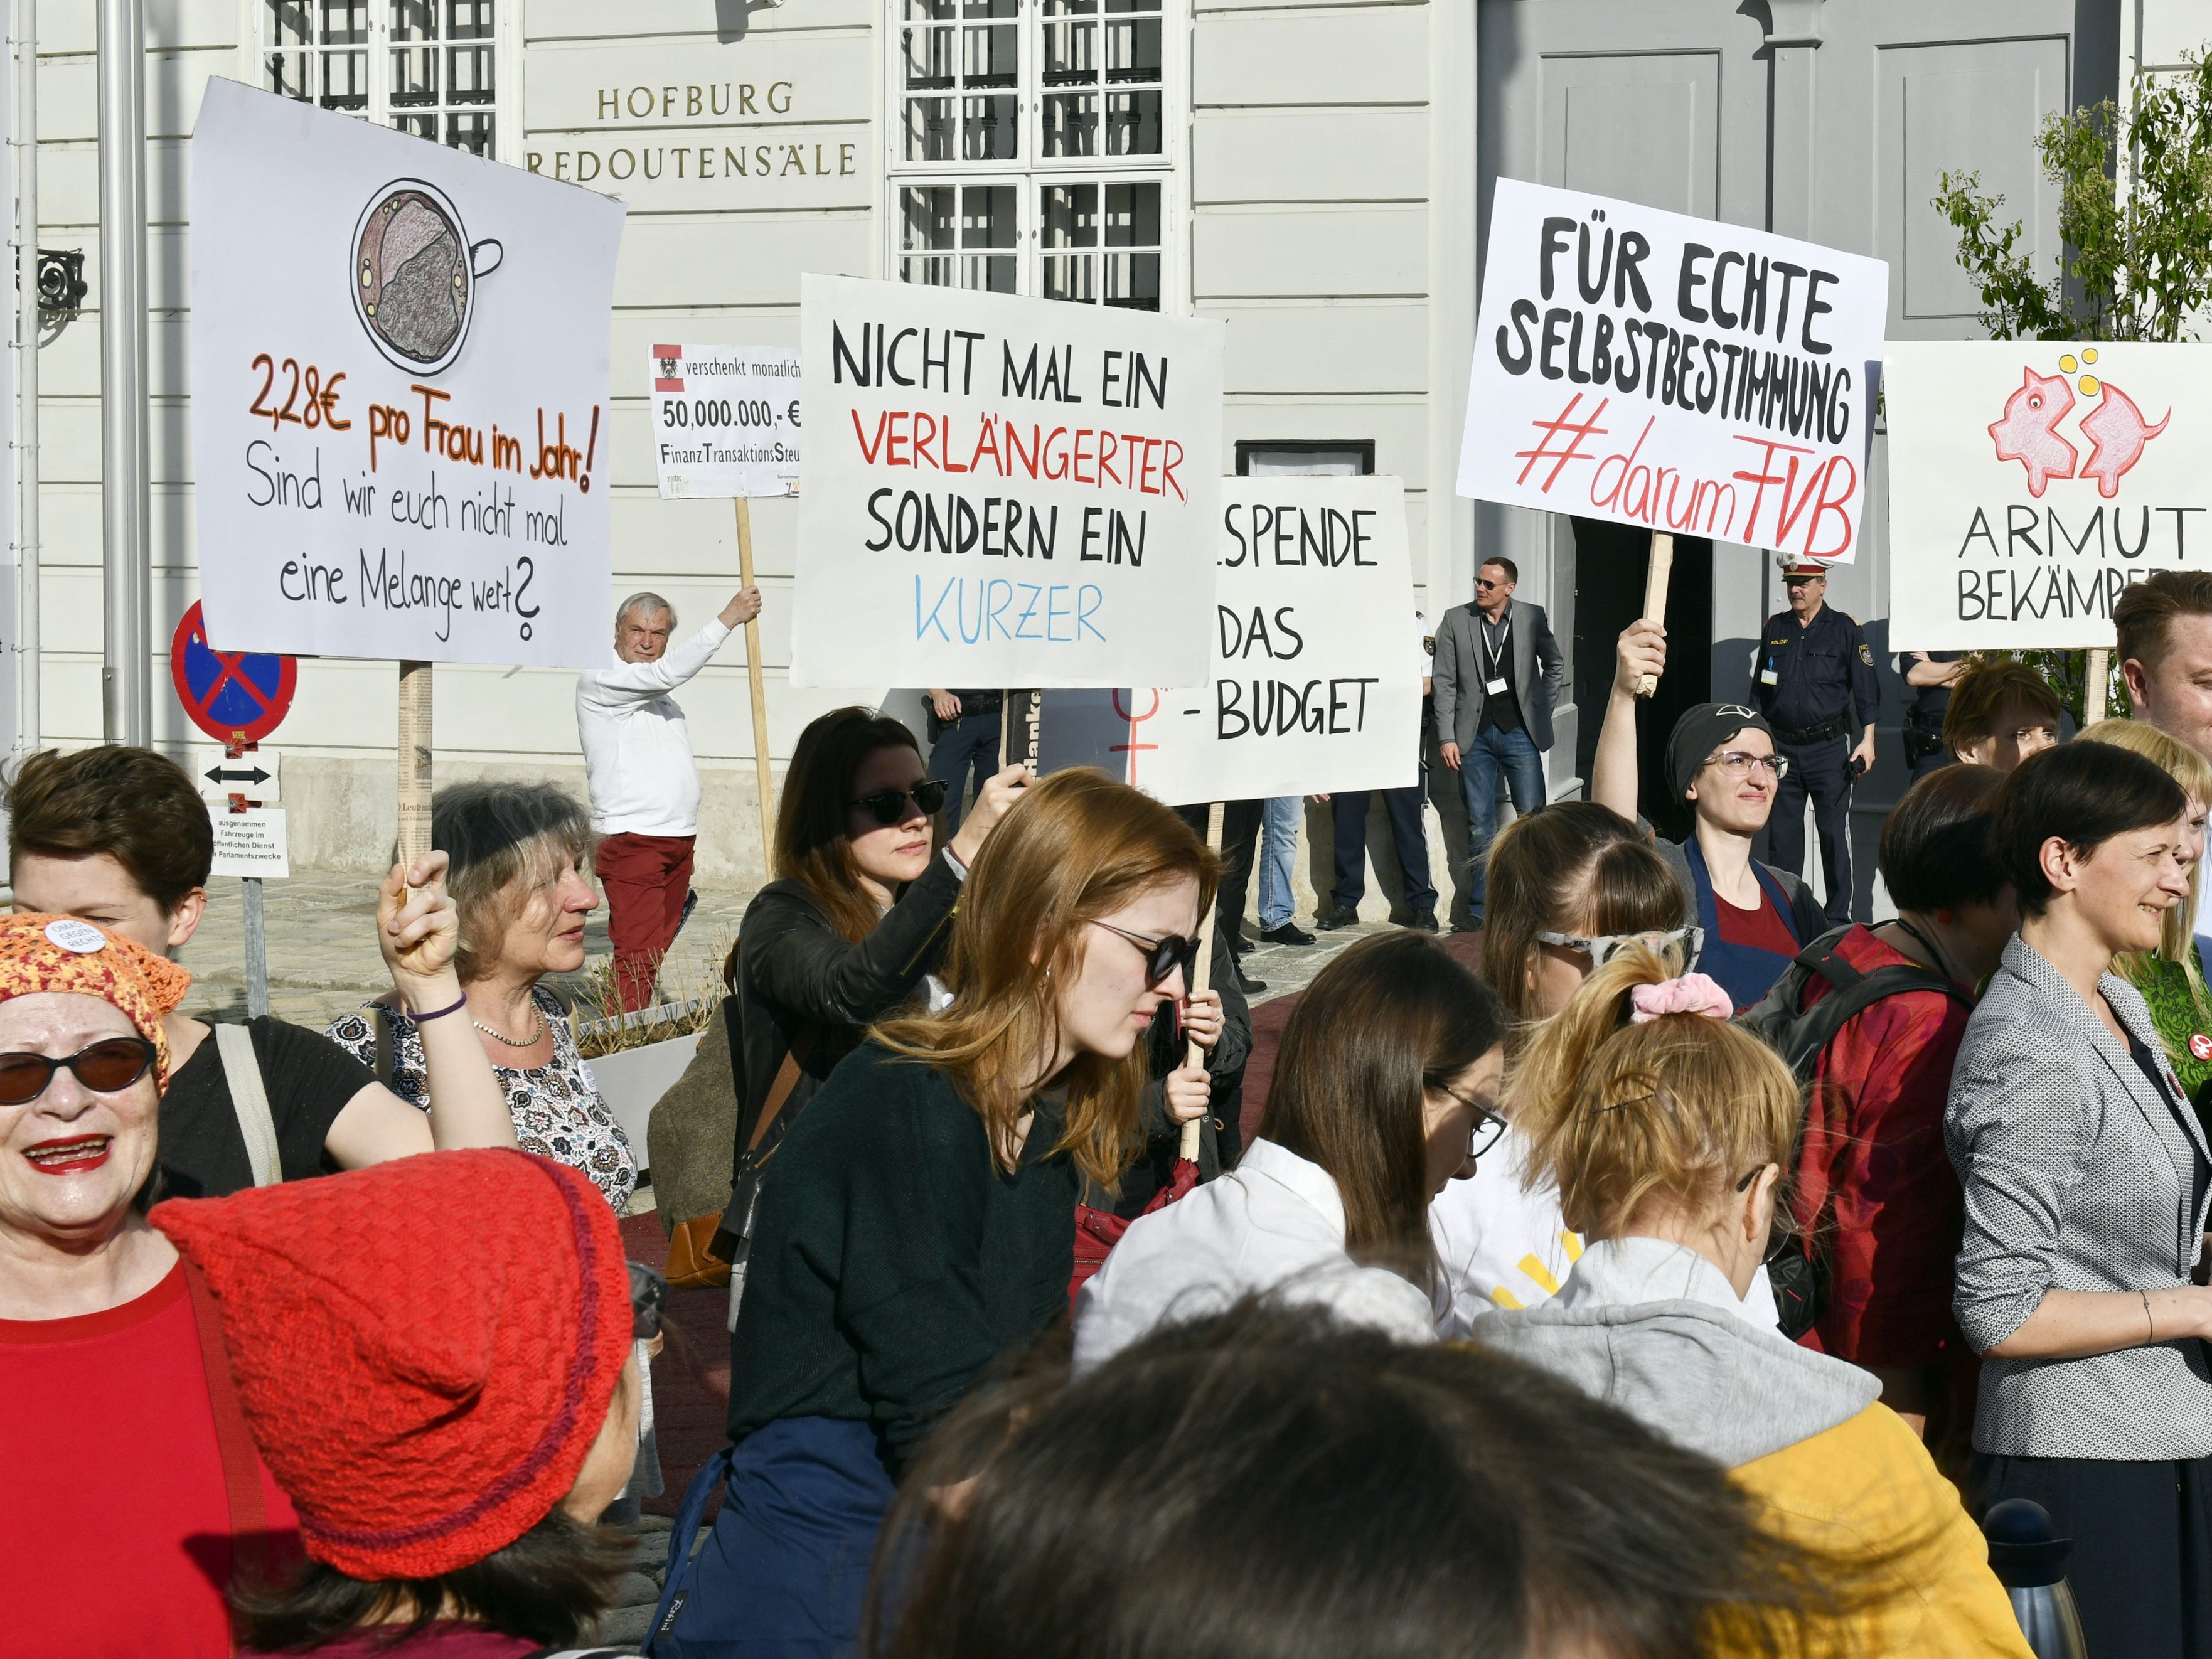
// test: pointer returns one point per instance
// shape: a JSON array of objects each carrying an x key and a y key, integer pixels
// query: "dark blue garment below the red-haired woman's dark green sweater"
[{"x": 784, "y": 1574}]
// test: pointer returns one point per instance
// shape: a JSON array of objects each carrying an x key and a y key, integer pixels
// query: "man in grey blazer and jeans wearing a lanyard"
[{"x": 1496, "y": 676}]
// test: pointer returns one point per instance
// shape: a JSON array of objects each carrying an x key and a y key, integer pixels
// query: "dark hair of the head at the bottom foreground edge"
[{"x": 1275, "y": 1483}]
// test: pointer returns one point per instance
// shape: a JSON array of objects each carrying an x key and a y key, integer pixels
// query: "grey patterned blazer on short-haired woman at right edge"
[{"x": 2078, "y": 1178}]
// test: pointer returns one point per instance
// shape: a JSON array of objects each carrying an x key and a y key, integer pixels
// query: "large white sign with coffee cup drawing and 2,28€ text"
[{"x": 399, "y": 393}]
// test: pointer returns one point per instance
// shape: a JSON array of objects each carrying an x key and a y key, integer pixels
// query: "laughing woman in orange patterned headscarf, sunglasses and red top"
[{"x": 134, "y": 1483}]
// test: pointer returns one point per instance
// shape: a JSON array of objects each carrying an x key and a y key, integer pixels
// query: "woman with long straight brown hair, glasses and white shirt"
[{"x": 1384, "y": 1092}]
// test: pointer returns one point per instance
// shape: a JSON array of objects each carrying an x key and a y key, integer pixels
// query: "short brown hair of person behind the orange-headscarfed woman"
[{"x": 129, "y": 804}]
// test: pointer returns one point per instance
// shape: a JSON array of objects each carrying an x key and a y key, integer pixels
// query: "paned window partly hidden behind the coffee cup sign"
[{"x": 426, "y": 67}]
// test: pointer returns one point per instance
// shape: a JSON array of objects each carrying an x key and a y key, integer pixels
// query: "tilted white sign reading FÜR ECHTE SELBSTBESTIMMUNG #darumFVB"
[{"x": 1673, "y": 373}]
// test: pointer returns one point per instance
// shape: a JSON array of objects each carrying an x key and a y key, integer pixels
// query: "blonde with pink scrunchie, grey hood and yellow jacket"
[{"x": 1665, "y": 1131}]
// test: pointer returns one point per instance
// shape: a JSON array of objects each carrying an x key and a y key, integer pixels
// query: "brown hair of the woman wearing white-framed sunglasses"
[{"x": 1574, "y": 866}]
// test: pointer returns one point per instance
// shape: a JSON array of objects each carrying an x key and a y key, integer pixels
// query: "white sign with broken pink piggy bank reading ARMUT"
[{"x": 2032, "y": 481}]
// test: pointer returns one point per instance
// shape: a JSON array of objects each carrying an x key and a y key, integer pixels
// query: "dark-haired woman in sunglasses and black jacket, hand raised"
[{"x": 855, "y": 921}]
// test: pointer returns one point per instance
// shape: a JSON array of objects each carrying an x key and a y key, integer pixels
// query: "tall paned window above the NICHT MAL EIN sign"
[{"x": 1032, "y": 147}]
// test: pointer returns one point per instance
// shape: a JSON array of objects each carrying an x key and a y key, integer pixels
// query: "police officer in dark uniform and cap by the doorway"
[{"x": 1819, "y": 691}]
